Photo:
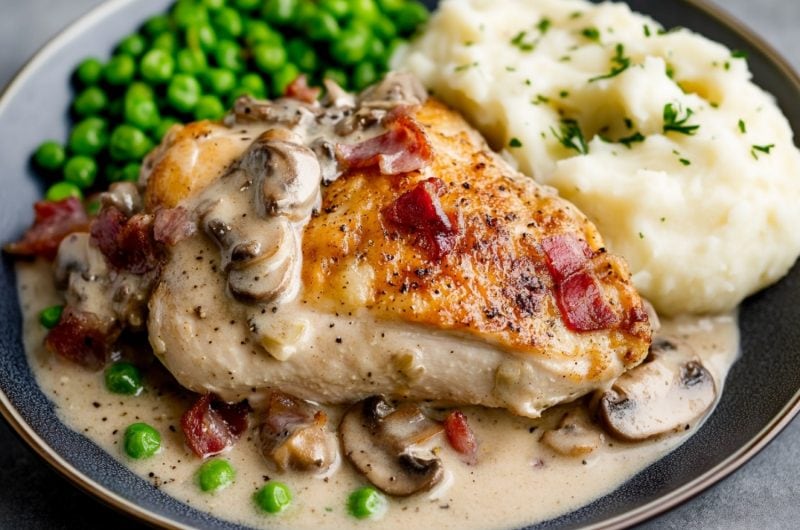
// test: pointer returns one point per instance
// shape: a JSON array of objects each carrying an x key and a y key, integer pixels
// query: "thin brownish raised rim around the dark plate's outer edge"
[{"x": 653, "y": 508}]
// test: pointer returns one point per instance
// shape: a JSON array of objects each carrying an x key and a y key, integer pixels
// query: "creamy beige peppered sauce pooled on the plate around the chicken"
[{"x": 513, "y": 467}]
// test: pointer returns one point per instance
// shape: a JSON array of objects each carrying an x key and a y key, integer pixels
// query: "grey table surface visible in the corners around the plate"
[{"x": 764, "y": 493}]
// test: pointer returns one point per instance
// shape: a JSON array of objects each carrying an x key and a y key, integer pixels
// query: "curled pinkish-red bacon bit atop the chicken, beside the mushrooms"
[{"x": 403, "y": 148}]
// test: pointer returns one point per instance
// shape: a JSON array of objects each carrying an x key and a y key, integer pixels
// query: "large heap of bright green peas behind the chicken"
[{"x": 194, "y": 61}]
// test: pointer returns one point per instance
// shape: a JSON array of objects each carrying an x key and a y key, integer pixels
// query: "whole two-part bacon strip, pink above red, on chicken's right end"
[{"x": 578, "y": 293}]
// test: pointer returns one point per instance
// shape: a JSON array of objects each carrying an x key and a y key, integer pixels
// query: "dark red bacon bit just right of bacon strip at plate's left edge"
[{"x": 127, "y": 244}]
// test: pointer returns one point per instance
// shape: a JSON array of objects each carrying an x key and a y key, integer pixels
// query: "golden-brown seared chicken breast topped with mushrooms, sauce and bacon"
[{"x": 423, "y": 267}]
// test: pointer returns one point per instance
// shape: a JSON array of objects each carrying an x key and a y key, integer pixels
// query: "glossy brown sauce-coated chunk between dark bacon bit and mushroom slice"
[{"x": 293, "y": 435}]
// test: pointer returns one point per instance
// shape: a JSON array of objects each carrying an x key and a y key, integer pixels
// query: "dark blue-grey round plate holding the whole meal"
[{"x": 758, "y": 400}]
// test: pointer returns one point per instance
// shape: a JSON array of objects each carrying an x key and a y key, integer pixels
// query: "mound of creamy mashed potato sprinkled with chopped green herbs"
[{"x": 687, "y": 168}]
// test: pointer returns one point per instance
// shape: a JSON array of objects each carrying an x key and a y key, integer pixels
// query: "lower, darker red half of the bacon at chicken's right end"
[{"x": 582, "y": 304}]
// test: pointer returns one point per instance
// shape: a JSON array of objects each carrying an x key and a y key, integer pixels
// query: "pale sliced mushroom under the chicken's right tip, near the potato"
[{"x": 666, "y": 393}]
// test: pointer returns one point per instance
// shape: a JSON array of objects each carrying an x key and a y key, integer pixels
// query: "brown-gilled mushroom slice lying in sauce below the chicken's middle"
[{"x": 380, "y": 441}]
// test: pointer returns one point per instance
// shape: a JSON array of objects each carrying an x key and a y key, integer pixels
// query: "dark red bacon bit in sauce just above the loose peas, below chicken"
[{"x": 211, "y": 426}]
